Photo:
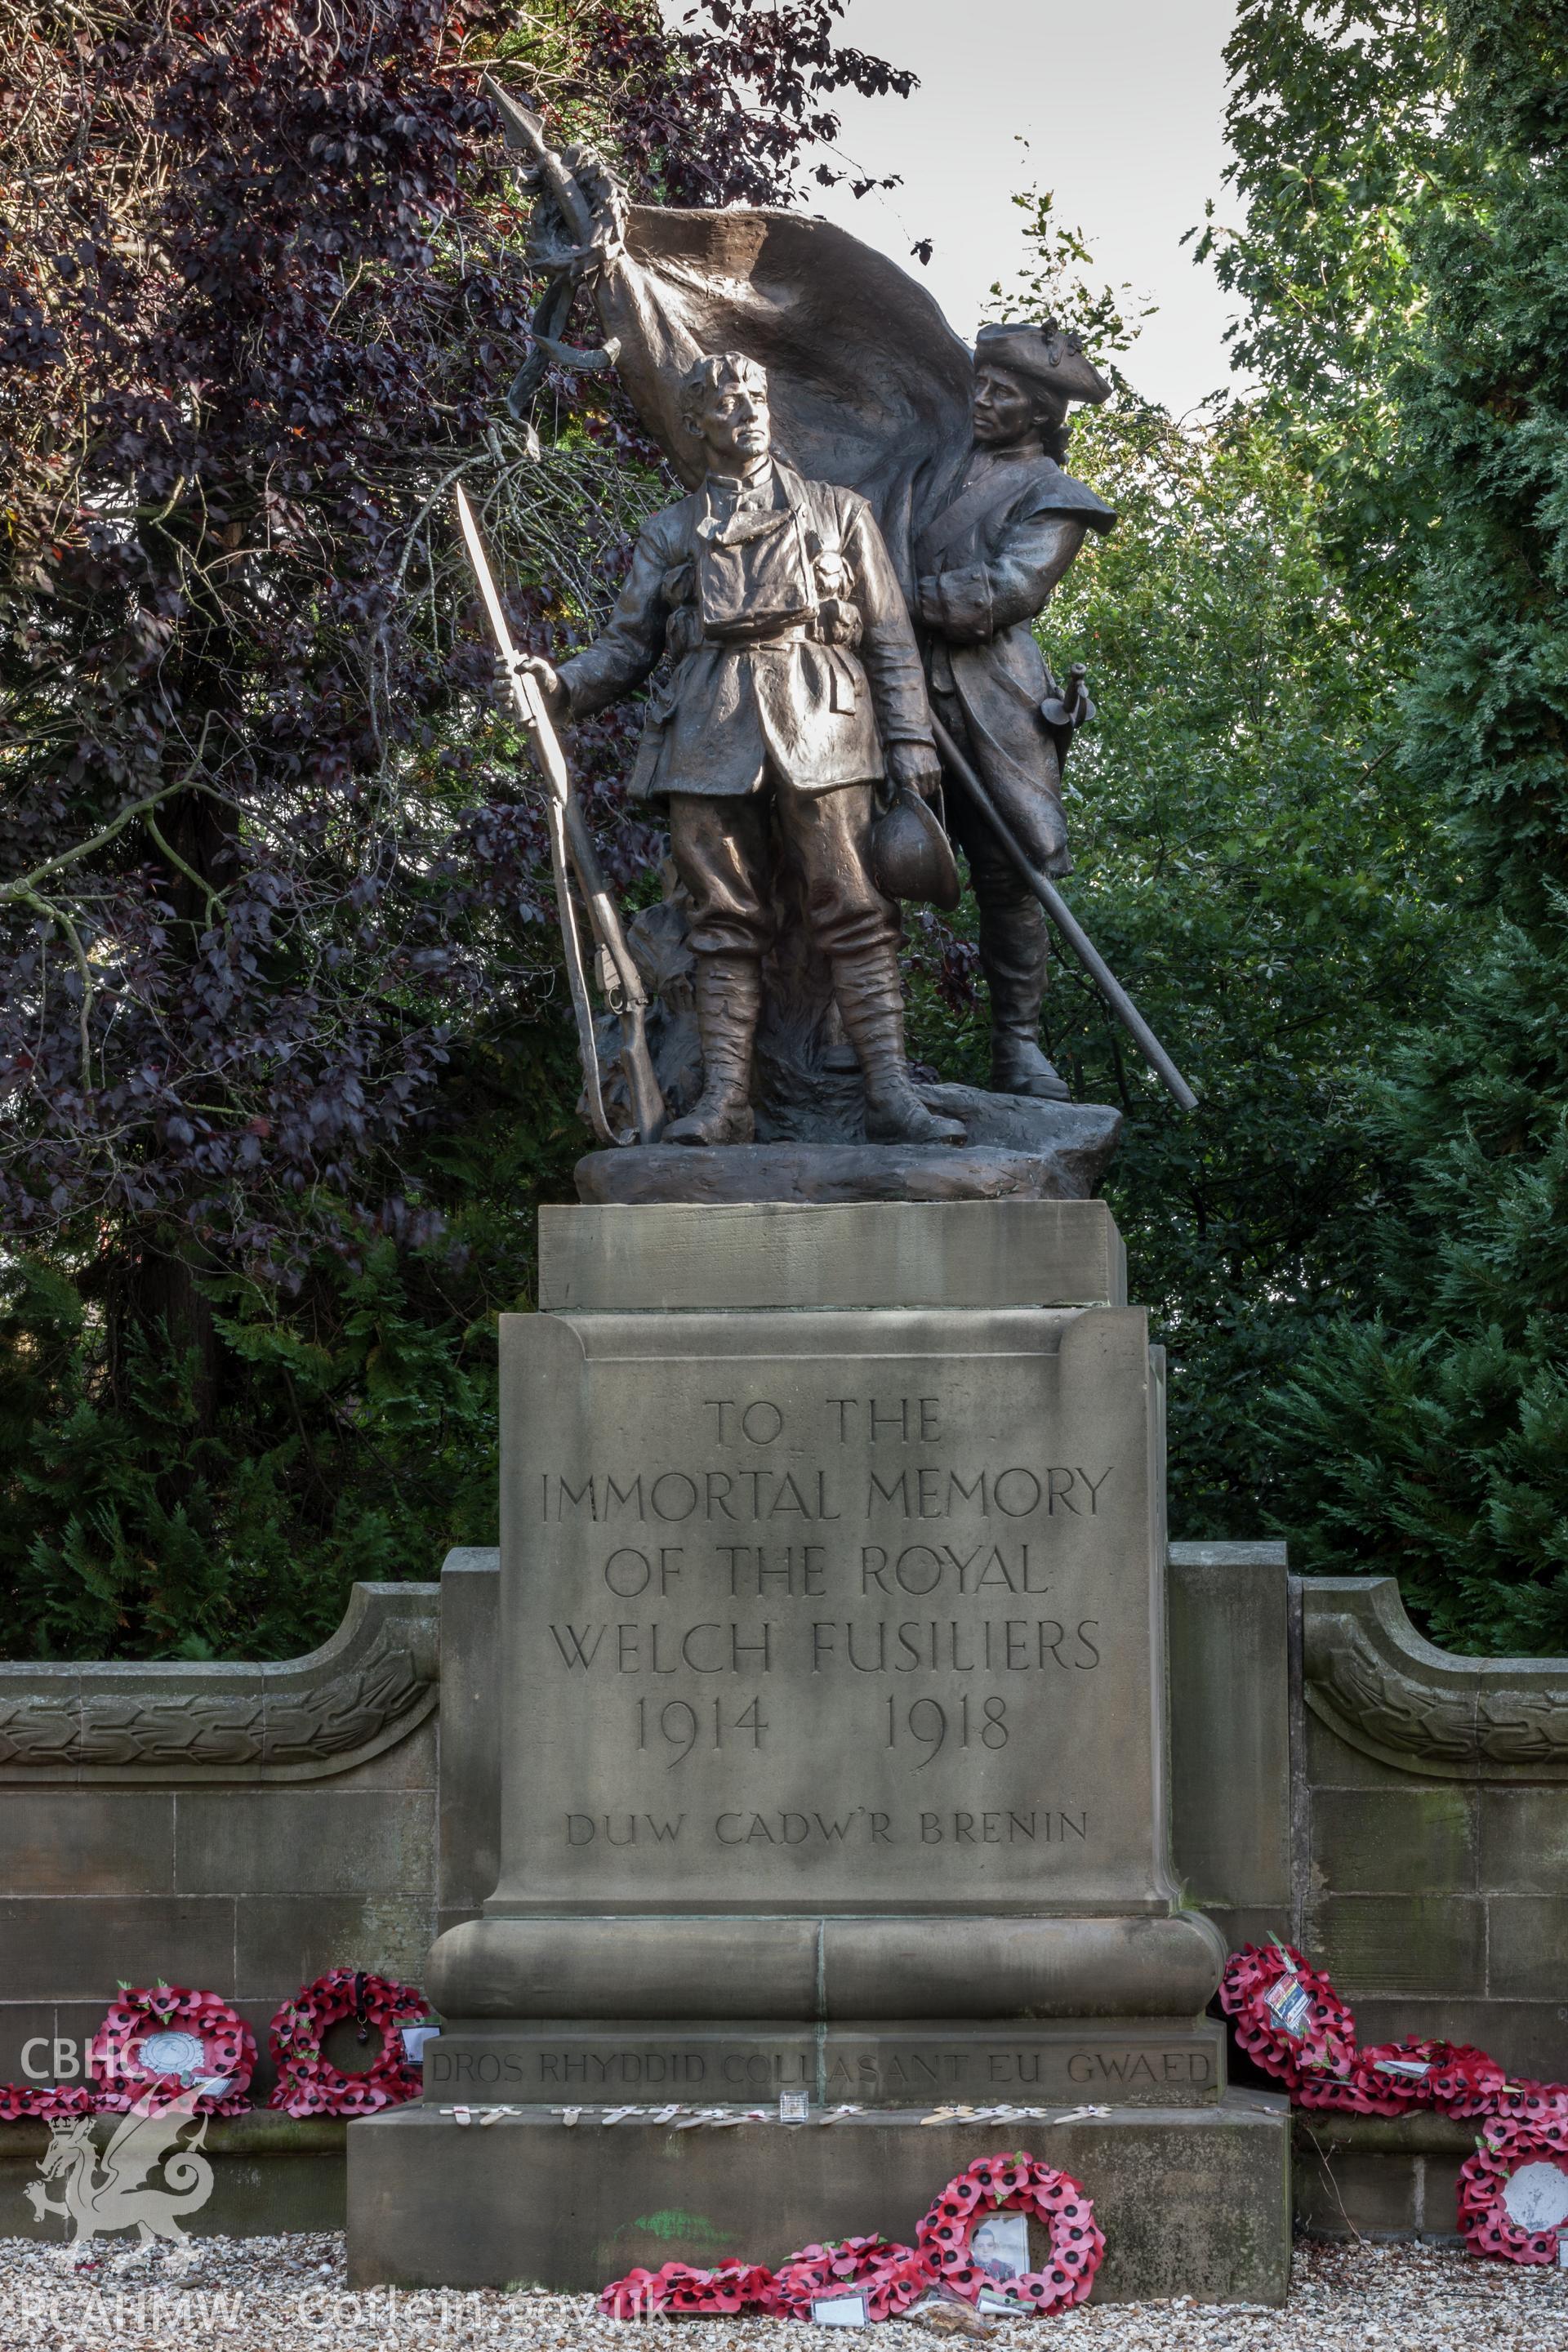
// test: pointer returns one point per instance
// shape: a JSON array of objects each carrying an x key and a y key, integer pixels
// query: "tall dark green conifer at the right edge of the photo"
[{"x": 1435, "y": 1441}]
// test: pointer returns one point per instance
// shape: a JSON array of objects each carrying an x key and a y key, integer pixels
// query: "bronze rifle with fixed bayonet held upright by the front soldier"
[{"x": 572, "y": 846}]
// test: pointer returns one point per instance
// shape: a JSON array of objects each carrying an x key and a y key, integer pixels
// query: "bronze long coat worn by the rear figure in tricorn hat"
[{"x": 986, "y": 570}]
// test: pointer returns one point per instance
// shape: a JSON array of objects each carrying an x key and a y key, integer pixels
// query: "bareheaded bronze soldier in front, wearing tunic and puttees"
[{"x": 796, "y": 693}]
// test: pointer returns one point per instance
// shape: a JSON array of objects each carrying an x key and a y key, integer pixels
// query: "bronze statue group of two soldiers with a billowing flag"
[{"x": 840, "y": 622}]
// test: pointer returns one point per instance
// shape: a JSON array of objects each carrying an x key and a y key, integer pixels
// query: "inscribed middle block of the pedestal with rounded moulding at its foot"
[{"x": 822, "y": 1629}]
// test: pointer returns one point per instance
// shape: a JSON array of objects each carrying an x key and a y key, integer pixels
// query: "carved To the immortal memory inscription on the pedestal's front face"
[{"x": 871, "y": 1565}]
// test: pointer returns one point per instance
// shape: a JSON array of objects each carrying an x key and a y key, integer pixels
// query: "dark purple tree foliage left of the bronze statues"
[{"x": 272, "y": 853}]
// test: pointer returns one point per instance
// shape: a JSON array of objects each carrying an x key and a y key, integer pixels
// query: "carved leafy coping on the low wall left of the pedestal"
[{"x": 316, "y": 1716}]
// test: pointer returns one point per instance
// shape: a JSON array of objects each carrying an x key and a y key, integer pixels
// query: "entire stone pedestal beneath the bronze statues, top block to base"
[{"x": 833, "y": 1737}]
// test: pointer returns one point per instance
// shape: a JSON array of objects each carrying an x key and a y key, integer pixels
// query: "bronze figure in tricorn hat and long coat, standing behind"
[{"x": 986, "y": 568}]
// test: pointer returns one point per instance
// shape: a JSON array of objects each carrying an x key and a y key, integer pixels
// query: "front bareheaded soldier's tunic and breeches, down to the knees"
[{"x": 793, "y": 662}]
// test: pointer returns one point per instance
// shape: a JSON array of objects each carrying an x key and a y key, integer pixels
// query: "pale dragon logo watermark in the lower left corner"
[{"x": 112, "y": 2191}]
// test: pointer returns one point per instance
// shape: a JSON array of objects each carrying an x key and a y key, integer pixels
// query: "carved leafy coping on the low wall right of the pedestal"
[{"x": 1374, "y": 1681}]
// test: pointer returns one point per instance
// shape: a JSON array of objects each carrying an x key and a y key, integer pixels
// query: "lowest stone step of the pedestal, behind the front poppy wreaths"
[{"x": 1193, "y": 2203}]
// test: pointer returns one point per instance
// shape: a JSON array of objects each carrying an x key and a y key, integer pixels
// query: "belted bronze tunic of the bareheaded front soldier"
[{"x": 789, "y": 639}]
